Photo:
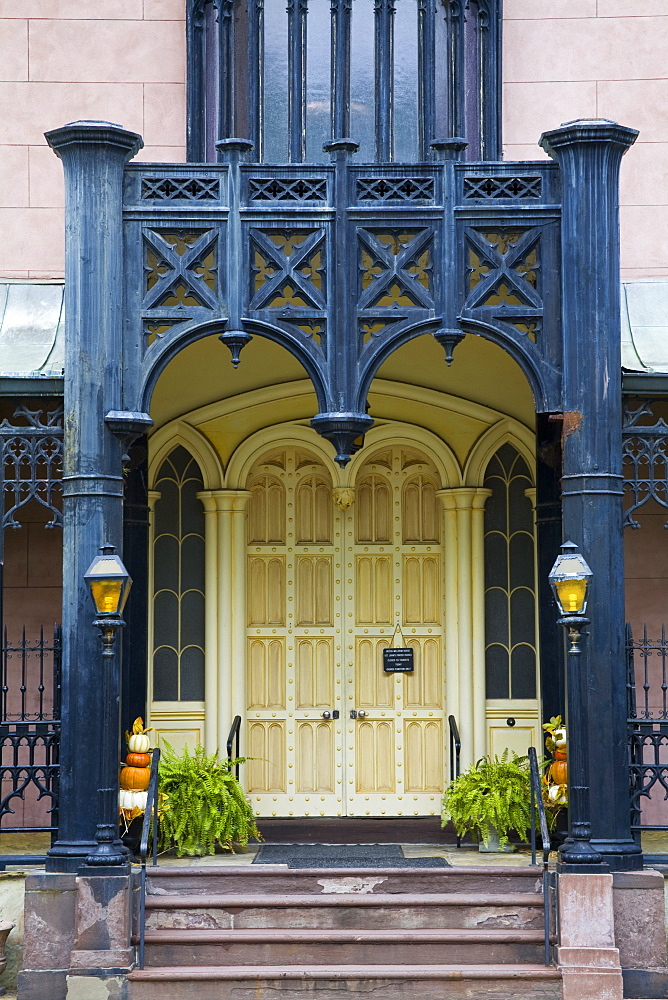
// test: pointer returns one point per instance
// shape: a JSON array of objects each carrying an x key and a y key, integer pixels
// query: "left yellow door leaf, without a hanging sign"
[{"x": 293, "y": 660}]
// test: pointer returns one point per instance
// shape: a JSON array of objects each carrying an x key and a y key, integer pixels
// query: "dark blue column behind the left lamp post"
[{"x": 94, "y": 155}]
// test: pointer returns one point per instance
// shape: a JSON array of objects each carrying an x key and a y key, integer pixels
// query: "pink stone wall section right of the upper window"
[{"x": 598, "y": 59}]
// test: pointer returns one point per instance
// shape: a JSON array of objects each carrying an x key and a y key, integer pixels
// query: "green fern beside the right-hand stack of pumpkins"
[{"x": 490, "y": 800}]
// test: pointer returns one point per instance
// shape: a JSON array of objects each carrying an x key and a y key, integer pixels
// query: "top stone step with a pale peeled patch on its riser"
[{"x": 264, "y": 879}]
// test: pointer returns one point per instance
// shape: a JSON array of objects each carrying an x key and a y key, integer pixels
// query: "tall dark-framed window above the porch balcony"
[{"x": 291, "y": 75}]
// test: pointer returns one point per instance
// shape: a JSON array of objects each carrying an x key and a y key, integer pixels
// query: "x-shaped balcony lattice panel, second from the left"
[{"x": 290, "y": 273}]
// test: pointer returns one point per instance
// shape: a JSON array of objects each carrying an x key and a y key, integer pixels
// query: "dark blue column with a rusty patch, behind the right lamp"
[{"x": 589, "y": 154}]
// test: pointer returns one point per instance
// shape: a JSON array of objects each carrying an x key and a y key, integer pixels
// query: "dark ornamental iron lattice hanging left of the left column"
[{"x": 31, "y": 463}]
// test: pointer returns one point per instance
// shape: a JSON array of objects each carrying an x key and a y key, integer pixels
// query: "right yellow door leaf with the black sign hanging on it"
[{"x": 395, "y": 738}]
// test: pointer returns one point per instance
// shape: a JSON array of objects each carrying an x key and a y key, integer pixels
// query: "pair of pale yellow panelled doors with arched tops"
[{"x": 334, "y": 578}]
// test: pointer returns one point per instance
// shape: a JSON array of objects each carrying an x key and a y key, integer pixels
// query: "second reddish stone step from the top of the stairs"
[{"x": 337, "y": 910}]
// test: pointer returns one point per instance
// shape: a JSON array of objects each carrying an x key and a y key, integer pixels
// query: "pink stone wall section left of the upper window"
[{"x": 67, "y": 60}]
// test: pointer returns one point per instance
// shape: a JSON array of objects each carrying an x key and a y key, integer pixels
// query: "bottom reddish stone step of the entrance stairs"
[{"x": 387, "y": 982}]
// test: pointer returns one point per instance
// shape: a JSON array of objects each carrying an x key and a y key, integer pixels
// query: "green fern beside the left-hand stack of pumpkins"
[{"x": 204, "y": 806}]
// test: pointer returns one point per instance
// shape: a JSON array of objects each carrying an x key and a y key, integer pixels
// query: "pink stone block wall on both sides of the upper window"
[{"x": 125, "y": 62}]
